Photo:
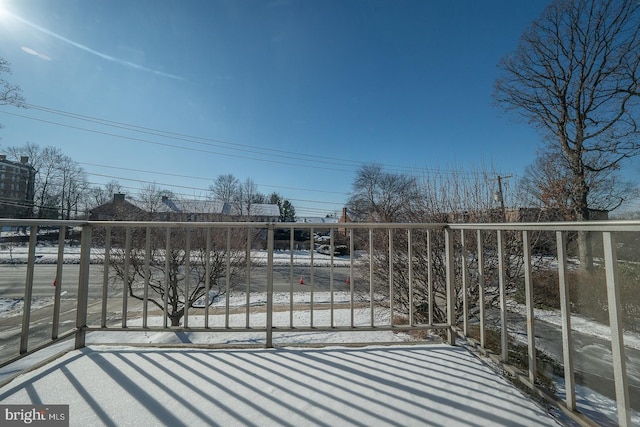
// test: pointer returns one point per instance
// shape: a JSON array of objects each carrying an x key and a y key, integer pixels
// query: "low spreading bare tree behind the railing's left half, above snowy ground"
[{"x": 196, "y": 258}]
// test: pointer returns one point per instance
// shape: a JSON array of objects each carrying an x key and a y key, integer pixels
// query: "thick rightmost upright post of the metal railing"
[{"x": 615, "y": 320}]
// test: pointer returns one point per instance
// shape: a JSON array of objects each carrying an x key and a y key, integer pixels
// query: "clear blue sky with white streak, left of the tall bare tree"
[{"x": 293, "y": 94}]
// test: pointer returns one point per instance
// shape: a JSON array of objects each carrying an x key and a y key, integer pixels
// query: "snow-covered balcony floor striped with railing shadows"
[{"x": 401, "y": 385}]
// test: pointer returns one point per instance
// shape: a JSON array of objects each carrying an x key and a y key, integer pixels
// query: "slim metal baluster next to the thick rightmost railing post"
[{"x": 565, "y": 310}]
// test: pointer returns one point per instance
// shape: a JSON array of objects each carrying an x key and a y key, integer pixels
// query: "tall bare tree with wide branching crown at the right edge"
[{"x": 575, "y": 76}]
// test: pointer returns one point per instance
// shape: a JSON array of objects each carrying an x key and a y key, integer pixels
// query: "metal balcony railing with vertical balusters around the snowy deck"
[{"x": 445, "y": 266}]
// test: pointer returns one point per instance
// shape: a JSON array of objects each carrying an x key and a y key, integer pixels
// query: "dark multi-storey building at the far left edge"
[{"x": 17, "y": 188}]
